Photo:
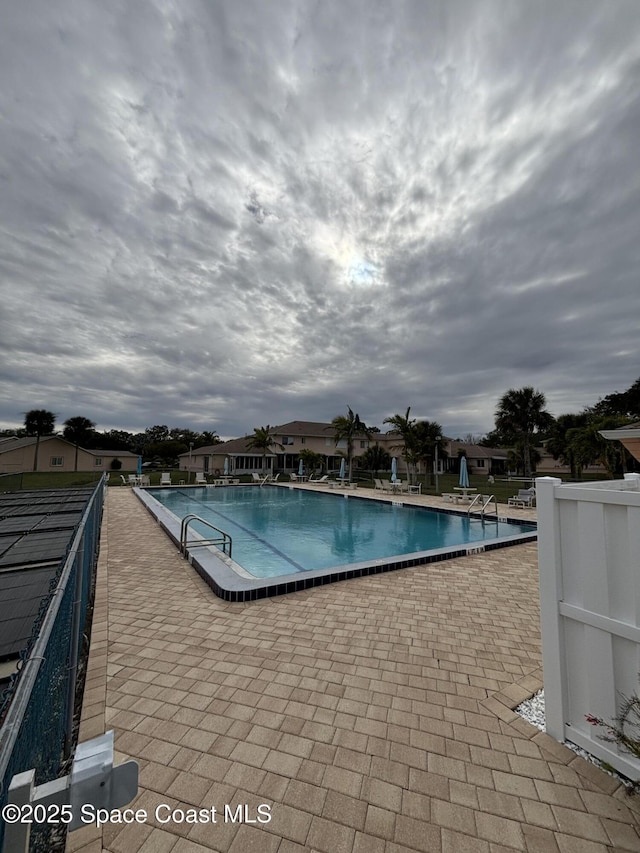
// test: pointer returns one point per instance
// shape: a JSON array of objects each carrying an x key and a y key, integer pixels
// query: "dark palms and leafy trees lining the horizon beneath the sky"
[{"x": 522, "y": 424}]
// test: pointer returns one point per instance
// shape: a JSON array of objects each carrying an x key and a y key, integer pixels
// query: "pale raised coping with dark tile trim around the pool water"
[{"x": 230, "y": 586}]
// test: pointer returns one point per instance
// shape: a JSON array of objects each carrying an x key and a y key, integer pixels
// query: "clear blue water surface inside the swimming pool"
[{"x": 280, "y": 531}]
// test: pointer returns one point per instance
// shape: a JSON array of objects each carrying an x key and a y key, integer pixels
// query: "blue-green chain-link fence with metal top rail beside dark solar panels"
[{"x": 36, "y": 730}]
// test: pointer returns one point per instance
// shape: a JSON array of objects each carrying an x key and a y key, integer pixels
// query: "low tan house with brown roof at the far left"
[{"x": 55, "y": 453}]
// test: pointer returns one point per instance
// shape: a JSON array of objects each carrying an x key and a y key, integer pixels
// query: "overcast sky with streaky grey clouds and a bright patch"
[{"x": 222, "y": 214}]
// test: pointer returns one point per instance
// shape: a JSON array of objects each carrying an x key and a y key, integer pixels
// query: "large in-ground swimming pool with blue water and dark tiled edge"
[{"x": 283, "y": 535}]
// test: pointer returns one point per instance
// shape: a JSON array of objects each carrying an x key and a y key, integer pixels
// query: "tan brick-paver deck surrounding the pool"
[{"x": 372, "y": 716}]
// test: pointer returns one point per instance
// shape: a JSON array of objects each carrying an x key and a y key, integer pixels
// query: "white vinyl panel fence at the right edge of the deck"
[{"x": 589, "y": 560}]
